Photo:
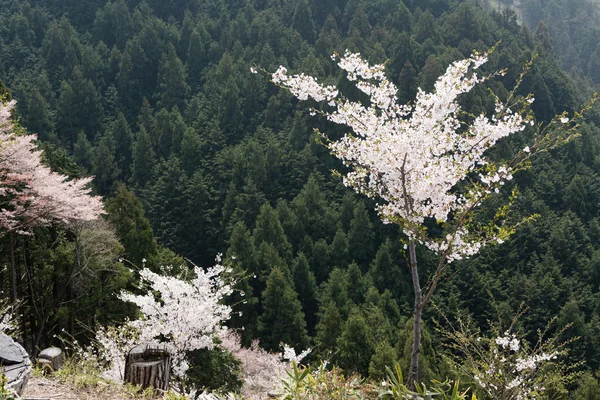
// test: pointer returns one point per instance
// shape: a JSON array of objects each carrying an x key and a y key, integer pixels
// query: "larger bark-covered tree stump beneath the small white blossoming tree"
[{"x": 148, "y": 365}]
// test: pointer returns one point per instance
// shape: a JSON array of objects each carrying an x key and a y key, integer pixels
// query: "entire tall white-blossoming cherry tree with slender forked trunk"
[{"x": 427, "y": 162}]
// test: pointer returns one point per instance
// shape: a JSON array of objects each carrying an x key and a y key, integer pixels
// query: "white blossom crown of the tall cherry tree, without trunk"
[{"x": 414, "y": 156}]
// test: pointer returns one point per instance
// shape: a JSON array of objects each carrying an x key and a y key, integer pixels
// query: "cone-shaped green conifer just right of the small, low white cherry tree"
[{"x": 282, "y": 320}]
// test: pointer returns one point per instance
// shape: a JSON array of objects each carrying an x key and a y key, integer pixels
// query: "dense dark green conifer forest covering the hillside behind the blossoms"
[{"x": 196, "y": 156}]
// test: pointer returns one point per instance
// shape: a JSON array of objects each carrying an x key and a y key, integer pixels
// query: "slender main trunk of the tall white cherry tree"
[{"x": 413, "y": 374}]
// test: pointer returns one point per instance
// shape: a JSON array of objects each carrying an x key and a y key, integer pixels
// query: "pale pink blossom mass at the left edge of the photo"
[{"x": 31, "y": 194}]
